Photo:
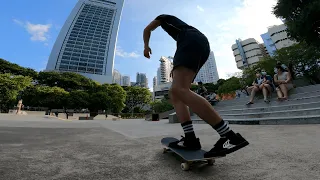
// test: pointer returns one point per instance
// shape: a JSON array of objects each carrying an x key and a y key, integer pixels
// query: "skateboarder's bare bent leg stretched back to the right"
[{"x": 180, "y": 89}]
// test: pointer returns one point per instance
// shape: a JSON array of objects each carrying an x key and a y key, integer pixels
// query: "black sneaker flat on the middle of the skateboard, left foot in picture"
[{"x": 185, "y": 143}]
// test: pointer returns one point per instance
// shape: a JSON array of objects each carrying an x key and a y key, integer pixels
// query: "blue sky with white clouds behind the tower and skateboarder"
[{"x": 29, "y": 30}]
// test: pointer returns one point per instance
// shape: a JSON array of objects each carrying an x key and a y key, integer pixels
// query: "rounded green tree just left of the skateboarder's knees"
[{"x": 137, "y": 96}]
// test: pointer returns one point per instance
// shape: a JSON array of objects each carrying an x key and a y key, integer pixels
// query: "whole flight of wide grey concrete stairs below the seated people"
[{"x": 302, "y": 107}]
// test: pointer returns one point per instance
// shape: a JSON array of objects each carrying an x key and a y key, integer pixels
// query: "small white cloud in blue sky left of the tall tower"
[{"x": 38, "y": 32}]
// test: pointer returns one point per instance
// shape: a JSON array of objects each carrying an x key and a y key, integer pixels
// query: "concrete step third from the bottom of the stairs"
[{"x": 272, "y": 108}]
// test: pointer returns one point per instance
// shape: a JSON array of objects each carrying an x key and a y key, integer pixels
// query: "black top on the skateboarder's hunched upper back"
[{"x": 173, "y": 25}]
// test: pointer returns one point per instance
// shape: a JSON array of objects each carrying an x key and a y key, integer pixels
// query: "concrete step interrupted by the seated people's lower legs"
[{"x": 273, "y": 97}]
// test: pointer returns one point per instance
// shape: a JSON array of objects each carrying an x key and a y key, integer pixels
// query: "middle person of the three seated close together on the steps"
[{"x": 266, "y": 86}]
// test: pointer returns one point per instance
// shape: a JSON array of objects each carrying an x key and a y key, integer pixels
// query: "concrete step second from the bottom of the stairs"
[{"x": 288, "y": 113}]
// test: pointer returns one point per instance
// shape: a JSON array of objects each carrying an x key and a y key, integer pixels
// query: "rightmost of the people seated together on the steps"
[{"x": 282, "y": 79}]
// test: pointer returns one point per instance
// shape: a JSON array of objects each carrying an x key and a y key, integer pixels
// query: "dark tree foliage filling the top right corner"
[{"x": 301, "y": 18}]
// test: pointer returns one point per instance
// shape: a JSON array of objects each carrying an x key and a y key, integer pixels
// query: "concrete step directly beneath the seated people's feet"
[{"x": 261, "y": 103}]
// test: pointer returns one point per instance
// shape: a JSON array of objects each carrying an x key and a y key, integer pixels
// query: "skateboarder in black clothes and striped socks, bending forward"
[{"x": 192, "y": 52}]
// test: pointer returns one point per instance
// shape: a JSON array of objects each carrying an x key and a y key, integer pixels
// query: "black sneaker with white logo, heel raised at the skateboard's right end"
[{"x": 226, "y": 146}]
